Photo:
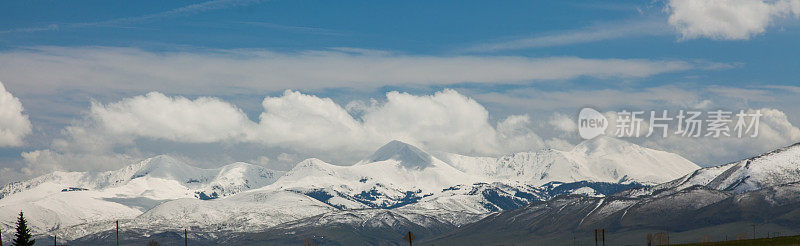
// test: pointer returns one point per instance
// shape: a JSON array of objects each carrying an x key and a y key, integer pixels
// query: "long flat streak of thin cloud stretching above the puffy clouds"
[{"x": 106, "y": 70}]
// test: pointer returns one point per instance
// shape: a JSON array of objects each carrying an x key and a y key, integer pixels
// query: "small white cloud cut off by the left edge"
[{"x": 14, "y": 125}]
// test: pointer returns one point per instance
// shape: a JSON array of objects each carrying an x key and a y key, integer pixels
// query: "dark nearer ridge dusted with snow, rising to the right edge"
[{"x": 758, "y": 190}]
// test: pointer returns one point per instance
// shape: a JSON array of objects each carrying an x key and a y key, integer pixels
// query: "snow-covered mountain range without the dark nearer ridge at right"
[{"x": 398, "y": 182}]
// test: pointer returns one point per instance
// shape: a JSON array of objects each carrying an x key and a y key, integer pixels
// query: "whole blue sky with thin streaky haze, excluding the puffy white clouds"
[{"x": 66, "y": 60}]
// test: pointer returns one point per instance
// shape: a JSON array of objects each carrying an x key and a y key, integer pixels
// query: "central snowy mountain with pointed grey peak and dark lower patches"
[{"x": 396, "y": 175}]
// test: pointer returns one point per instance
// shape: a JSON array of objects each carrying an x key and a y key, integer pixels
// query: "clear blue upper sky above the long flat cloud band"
[{"x": 415, "y": 27}]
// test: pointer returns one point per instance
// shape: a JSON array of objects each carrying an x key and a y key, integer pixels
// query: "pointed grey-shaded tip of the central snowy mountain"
[{"x": 408, "y": 155}]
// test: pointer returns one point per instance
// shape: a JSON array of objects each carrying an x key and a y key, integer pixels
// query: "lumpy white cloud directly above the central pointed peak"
[{"x": 444, "y": 121}]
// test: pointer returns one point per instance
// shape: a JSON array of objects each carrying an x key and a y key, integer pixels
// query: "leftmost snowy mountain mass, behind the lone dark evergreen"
[{"x": 63, "y": 199}]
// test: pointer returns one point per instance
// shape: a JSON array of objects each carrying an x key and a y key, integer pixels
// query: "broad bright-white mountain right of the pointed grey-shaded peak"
[{"x": 602, "y": 159}]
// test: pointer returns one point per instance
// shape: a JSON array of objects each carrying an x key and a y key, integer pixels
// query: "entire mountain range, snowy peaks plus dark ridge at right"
[{"x": 443, "y": 197}]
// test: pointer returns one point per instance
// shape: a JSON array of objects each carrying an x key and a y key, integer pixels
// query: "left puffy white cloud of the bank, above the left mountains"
[{"x": 178, "y": 119}]
